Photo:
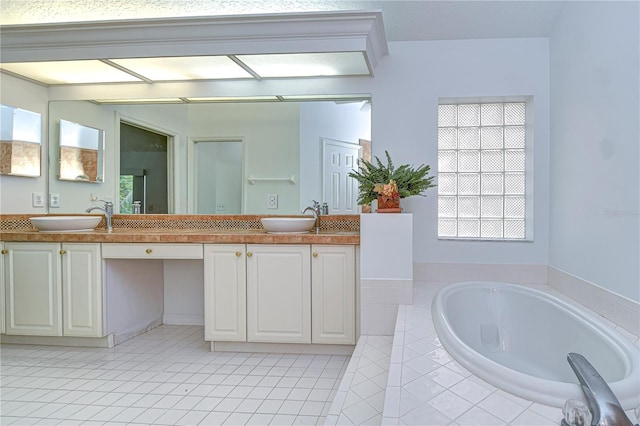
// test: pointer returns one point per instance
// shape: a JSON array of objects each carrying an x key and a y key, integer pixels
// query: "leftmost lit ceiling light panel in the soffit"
[{"x": 69, "y": 72}]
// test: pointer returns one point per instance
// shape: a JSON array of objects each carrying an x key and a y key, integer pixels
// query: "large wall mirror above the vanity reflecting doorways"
[{"x": 211, "y": 158}]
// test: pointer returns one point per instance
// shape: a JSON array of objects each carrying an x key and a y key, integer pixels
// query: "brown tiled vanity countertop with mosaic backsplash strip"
[{"x": 334, "y": 229}]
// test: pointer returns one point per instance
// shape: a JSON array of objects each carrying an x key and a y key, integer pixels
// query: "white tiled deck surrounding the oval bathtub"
[{"x": 427, "y": 387}]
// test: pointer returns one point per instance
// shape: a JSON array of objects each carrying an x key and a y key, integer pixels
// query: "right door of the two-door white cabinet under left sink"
[{"x": 82, "y": 290}]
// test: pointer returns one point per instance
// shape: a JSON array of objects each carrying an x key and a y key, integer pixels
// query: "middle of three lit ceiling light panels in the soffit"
[{"x": 184, "y": 68}]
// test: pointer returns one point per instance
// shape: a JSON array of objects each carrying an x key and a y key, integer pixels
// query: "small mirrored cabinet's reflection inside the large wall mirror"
[{"x": 81, "y": 153}]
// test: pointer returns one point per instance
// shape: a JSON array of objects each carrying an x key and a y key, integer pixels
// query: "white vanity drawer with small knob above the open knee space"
[{"x": 151, "y": 251}]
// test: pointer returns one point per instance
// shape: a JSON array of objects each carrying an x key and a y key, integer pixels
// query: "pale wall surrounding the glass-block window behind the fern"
[{"x": 405, "y": 91}]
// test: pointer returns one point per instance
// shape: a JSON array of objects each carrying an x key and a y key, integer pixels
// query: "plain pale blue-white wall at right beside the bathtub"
[{"x": 595, "y": 197}]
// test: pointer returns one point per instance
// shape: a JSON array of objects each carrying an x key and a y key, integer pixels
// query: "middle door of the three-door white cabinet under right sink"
[{"x": 278, "y": 293}]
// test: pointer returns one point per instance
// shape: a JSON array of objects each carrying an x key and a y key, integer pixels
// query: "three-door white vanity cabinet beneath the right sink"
[{"x": 280, "y": 293}]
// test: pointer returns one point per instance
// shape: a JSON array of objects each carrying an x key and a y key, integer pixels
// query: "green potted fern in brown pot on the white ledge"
[{"x": 389, "y": 184}]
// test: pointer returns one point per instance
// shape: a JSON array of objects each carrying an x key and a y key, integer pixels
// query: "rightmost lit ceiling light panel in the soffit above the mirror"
[{"x": 307, "y": 64}]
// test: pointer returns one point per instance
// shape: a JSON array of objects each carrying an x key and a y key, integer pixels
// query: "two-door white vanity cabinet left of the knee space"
[{"x": 53, "y": 289}]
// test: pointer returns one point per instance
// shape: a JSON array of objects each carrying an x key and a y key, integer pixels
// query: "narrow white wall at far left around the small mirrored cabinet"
[{"x": 15, "y": 191}]
